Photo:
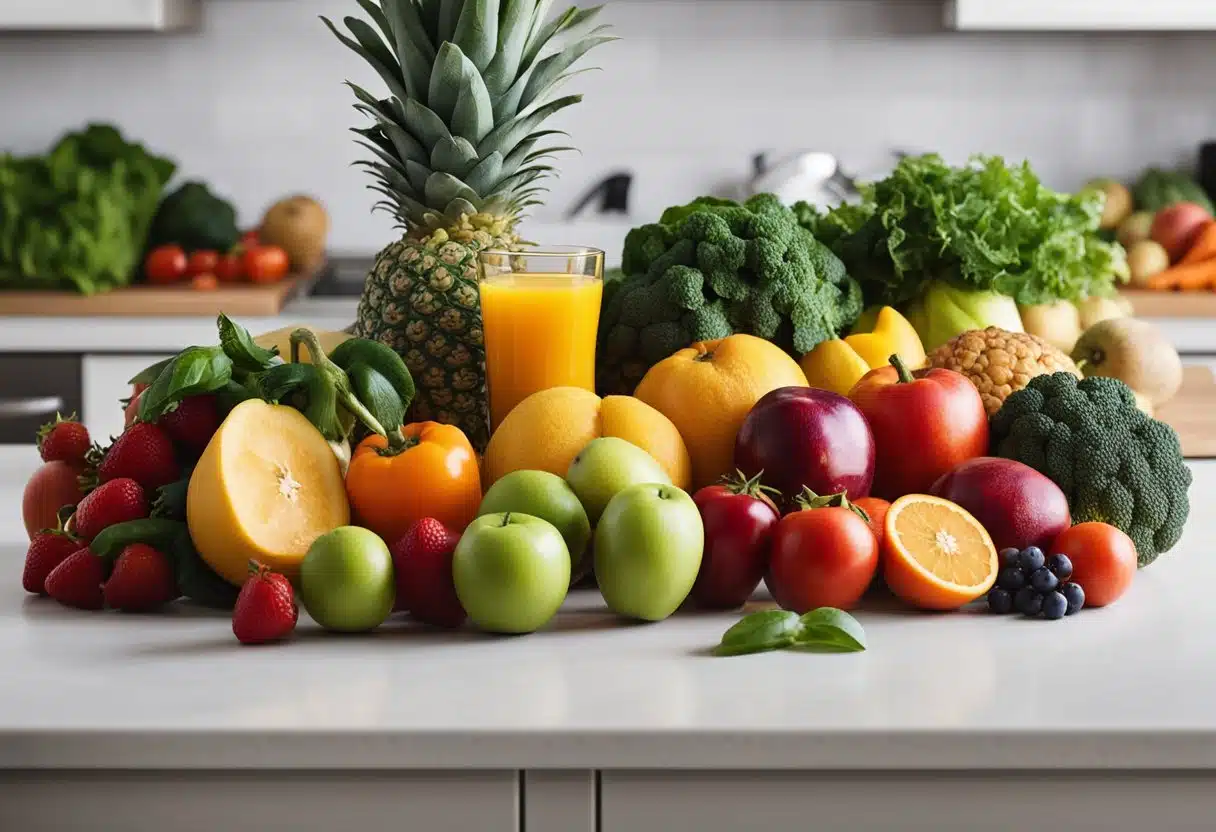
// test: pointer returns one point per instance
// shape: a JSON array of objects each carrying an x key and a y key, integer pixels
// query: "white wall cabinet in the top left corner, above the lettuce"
[{"x": 100, "y": 15}]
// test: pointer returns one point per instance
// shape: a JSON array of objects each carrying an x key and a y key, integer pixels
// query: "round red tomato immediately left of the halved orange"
[{"x": 821, "y": 558}]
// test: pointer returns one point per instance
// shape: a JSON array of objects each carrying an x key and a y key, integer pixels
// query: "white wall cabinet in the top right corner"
[{"x": 1080, "y": 15}]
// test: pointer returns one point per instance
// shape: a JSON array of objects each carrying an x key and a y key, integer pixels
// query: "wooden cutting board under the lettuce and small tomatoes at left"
[{"x": 143, "y": 301}]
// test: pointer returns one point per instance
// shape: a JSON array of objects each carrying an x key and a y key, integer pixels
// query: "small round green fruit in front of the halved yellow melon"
[{"x": 347, "y": 581}]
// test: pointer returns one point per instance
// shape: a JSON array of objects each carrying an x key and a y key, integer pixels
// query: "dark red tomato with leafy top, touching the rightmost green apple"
[{"x": 740, "y": 521}]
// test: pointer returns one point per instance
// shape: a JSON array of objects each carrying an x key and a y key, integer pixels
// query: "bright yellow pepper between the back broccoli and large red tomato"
[{"x": 840, "y": 364}]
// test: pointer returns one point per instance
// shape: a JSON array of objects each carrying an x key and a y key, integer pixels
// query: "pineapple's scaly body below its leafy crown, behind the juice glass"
[{"x": 423, "y": 300}]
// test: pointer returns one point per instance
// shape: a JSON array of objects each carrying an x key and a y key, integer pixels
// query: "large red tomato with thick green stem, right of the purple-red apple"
[{"x": 925, "y": 424}]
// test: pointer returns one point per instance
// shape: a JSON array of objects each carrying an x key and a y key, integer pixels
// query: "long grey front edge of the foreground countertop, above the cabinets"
[{"x": 902, "y": 751}]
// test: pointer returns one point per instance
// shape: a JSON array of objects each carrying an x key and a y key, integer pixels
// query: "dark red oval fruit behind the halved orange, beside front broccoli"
[{"x": 1017, "y": 505}]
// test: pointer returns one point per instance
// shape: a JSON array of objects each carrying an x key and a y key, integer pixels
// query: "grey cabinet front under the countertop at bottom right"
[{"x": 896, "y": 802}]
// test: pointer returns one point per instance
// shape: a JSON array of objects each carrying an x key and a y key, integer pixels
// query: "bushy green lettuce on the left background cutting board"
[{"x": 78, "y": 217}]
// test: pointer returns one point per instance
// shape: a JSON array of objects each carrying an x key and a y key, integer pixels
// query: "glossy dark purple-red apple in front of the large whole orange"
[{"x": 806, "y": 437}]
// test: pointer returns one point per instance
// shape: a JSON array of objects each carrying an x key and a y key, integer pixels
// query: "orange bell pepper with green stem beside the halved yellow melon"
[{"x": 435, "y": 475}]
